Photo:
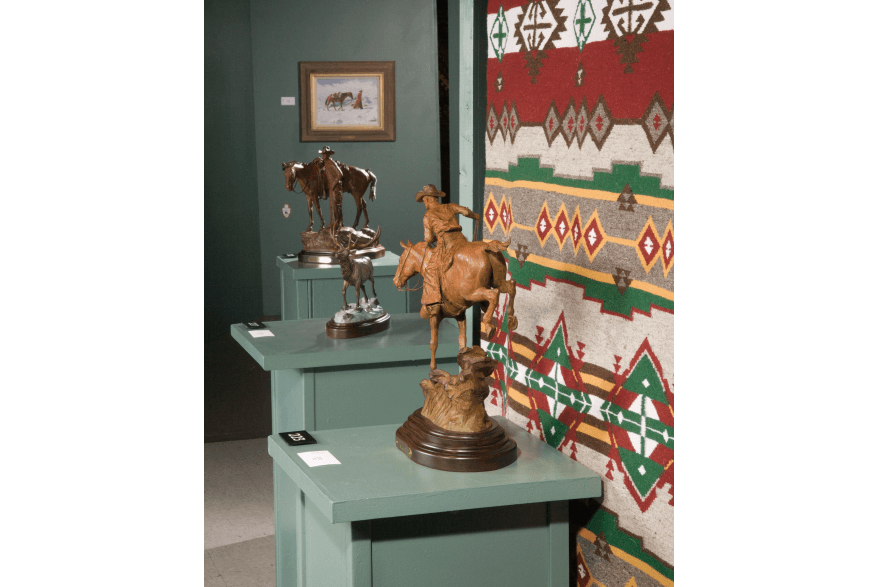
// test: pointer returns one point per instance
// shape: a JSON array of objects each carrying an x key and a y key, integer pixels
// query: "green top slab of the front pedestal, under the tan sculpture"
[{"x": 376, "y": 480}]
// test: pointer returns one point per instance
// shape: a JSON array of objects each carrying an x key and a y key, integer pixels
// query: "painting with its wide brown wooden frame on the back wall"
[{"x": 348, "y": 100}]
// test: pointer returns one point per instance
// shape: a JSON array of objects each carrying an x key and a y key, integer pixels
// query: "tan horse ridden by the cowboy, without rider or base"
[{"x": 477, "y": 275}]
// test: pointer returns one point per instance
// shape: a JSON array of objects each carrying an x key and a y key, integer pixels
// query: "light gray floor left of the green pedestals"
[{"x": 238, "y": 514}]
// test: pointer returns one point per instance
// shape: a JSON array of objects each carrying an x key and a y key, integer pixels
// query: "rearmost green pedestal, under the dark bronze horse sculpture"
[{"x": 315, "y": 292}]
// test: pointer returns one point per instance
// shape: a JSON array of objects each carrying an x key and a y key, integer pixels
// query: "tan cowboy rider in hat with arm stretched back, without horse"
[{"x": 440, "y": 226}]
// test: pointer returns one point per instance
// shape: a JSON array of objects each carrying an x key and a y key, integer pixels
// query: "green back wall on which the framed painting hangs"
[{"x": 286, "y": 32}]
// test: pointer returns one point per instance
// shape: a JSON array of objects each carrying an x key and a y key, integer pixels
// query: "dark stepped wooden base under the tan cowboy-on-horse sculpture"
[{"x": 437, "y": 448}]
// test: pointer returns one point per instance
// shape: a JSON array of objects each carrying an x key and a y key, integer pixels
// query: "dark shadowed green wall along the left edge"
[{"x": 232, "y": 275}]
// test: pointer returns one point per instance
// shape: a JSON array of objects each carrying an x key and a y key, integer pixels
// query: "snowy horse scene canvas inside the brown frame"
[{"x": 347, "y": 101}]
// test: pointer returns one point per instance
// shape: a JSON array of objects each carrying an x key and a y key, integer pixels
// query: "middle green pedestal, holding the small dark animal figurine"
[{"x": 321, "y": 383}]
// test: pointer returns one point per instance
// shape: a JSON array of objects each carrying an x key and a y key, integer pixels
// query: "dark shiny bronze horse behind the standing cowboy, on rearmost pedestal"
[{"x": 353, "y": 181}]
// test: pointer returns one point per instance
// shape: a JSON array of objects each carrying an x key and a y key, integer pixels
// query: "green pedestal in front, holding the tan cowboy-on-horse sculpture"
[{"x": 378, "y": 519}]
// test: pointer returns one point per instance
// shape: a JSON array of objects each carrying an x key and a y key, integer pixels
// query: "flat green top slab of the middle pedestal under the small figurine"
[{"x": 298, "y": 344}]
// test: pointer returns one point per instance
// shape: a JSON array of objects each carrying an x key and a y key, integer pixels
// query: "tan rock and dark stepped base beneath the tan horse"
[{"x": 452, "y": 432}]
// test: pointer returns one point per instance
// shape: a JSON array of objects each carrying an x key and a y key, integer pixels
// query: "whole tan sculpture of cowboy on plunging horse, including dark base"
[{"x": 452, "y": 432}]
